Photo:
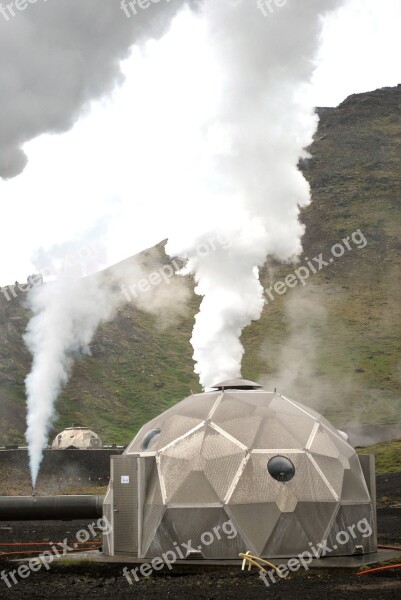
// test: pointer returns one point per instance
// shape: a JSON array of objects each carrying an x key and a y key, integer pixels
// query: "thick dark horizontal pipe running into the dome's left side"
[{"x": 50, "y": 508}]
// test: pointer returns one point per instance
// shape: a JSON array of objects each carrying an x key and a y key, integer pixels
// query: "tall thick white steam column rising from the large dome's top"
[{"x": 264, "y": 122}]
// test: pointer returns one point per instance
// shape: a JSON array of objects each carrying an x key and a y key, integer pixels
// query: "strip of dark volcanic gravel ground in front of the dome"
[{"x": 105, "y": 582}]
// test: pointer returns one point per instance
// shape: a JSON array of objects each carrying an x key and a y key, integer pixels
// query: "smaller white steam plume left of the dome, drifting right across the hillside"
[{"x": 68, "y": 311}]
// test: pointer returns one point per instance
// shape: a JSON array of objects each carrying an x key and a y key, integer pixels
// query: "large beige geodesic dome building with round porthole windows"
[{"x": 282, "y": 475}]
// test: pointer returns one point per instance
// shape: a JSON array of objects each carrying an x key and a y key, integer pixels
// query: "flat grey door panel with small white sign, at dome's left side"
[{"x": 124, "y": 475}]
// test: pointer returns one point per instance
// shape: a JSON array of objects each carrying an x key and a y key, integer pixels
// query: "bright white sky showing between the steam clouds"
[{"x": 92, "y": 192}]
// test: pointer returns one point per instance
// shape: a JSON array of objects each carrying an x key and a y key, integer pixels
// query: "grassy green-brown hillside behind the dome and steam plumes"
[{"x": 333, "y": 343}]
